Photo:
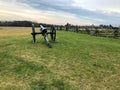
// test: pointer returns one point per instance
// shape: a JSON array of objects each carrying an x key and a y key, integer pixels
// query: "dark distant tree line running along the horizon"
[{"x": 29, "y": 23}]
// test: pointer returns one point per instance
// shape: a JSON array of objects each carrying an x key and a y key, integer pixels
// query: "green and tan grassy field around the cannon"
[{"x": 76, "y": 61}]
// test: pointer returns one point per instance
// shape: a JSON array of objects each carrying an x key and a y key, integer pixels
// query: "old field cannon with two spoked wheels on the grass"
[{"x": 44, "y": 33}]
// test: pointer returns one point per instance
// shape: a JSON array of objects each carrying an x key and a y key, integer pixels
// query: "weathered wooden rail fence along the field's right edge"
[{"x": 113, "y": 32}]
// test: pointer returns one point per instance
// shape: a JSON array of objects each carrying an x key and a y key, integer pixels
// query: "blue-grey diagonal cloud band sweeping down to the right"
[{"x": 97, "y": 16}]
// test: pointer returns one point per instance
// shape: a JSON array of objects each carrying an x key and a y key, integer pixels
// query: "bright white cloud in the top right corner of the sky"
[{"x": 108, "y": 5}]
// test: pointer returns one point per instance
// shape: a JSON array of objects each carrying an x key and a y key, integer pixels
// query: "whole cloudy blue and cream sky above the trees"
[{"x": 76, "y": 12}]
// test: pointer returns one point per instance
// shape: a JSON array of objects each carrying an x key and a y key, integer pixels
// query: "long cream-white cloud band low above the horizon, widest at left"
[{"x": 21, "y": 11}]
